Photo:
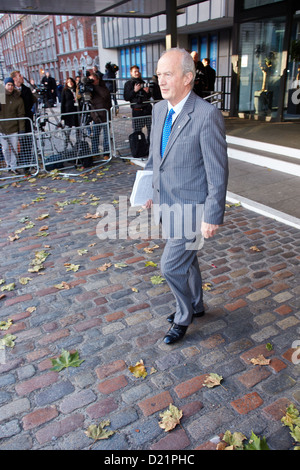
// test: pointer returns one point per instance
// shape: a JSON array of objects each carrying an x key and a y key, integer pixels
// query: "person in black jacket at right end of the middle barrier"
[{"x": 100, "y": 99}]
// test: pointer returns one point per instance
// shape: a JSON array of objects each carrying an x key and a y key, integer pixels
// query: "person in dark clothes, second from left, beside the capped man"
[{"x": 29, "y": 99}]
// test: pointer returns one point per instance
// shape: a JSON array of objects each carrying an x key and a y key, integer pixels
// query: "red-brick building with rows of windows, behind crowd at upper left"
[{"x": 36, "y": 44}]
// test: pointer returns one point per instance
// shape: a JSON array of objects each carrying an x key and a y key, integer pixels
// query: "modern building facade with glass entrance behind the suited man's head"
[{"x": 252, "y": 44}]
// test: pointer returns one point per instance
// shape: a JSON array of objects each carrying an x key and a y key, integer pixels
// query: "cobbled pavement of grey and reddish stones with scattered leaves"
[{"x": 117, "y": 317}]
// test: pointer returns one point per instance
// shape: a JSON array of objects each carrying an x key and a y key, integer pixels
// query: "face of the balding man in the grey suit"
[{"x": 174, "y": 85}]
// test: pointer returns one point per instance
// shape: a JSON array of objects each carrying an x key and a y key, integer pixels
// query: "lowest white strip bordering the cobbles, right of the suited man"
[{"x": 263, "y": 210}]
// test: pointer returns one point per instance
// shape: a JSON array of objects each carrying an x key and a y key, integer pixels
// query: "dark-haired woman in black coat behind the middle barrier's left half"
[{"x": 69, "y": 104}]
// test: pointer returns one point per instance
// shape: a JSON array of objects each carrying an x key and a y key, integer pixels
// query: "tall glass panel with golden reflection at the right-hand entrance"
[{"x": 261, "y": 44}]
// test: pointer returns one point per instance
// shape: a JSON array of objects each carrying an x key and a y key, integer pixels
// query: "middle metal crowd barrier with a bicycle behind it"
[{"x": 83, "y": 147}]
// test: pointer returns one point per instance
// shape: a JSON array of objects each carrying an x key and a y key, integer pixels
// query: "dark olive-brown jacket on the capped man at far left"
[{"x": 13, "y": 108}]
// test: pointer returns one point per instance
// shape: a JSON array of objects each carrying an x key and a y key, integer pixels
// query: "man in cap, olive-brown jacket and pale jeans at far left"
[{"x": 10, "y": 130}]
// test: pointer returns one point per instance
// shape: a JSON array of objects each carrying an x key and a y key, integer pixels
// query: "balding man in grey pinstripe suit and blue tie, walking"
[{"x": 190, "y": 173}]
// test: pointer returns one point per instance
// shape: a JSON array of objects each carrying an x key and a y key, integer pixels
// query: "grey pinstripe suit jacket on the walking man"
[{"x": 194, "y": 169}]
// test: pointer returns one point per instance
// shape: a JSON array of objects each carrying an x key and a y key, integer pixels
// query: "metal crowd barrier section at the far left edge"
[{"x": 18, "y": 152}]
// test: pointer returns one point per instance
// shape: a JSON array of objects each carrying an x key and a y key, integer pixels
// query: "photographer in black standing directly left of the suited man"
[{"x": 137, "y": 93}]
